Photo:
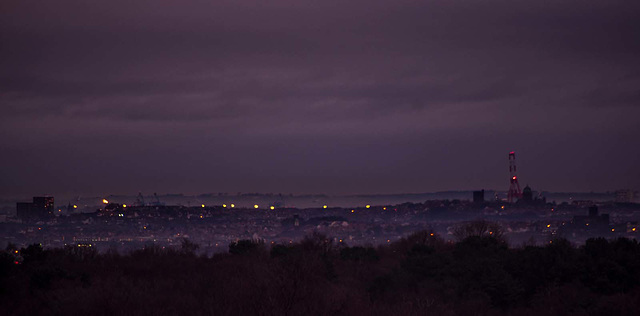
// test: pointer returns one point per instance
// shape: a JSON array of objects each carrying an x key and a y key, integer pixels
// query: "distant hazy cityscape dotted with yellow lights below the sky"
[{"x": 213, "y": 221}]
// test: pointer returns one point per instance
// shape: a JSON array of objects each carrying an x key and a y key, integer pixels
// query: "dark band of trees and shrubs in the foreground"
[{"x": 419, "y": 275}]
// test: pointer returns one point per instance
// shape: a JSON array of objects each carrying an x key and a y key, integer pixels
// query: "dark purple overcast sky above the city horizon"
[{"x": 338, "y": 97}]
